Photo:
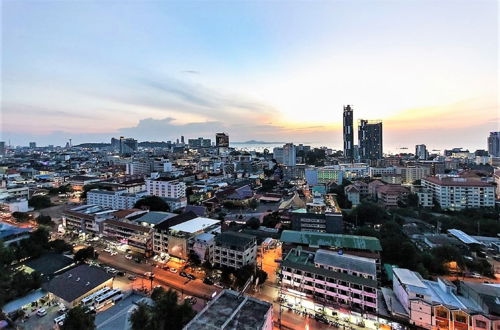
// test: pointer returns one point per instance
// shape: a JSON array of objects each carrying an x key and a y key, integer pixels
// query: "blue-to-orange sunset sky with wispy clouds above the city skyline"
[{"x": 263, "y": 70}]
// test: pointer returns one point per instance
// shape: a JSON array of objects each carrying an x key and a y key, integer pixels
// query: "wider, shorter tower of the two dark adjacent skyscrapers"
[{"x": 370, "y": 139}]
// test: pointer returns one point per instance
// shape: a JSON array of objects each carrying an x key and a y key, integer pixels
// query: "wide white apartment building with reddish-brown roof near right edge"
[{"x": 456, "y": 193}]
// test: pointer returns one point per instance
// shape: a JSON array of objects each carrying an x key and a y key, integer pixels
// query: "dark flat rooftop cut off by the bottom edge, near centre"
[{"x": 230, "y": 310}]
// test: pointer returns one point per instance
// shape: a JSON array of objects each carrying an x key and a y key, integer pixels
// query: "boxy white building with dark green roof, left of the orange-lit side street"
[{"x": 234, "y": 250}]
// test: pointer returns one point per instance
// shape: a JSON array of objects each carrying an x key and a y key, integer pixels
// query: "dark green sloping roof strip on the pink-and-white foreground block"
[{"x": 303, "y": 262}]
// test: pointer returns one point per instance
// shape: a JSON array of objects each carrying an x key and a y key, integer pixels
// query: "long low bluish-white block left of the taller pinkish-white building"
[{"x": 118, "y": 200}]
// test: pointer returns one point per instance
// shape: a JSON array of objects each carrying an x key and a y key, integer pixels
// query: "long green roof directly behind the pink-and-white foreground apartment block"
[{"x": 317, "y": 239}]
